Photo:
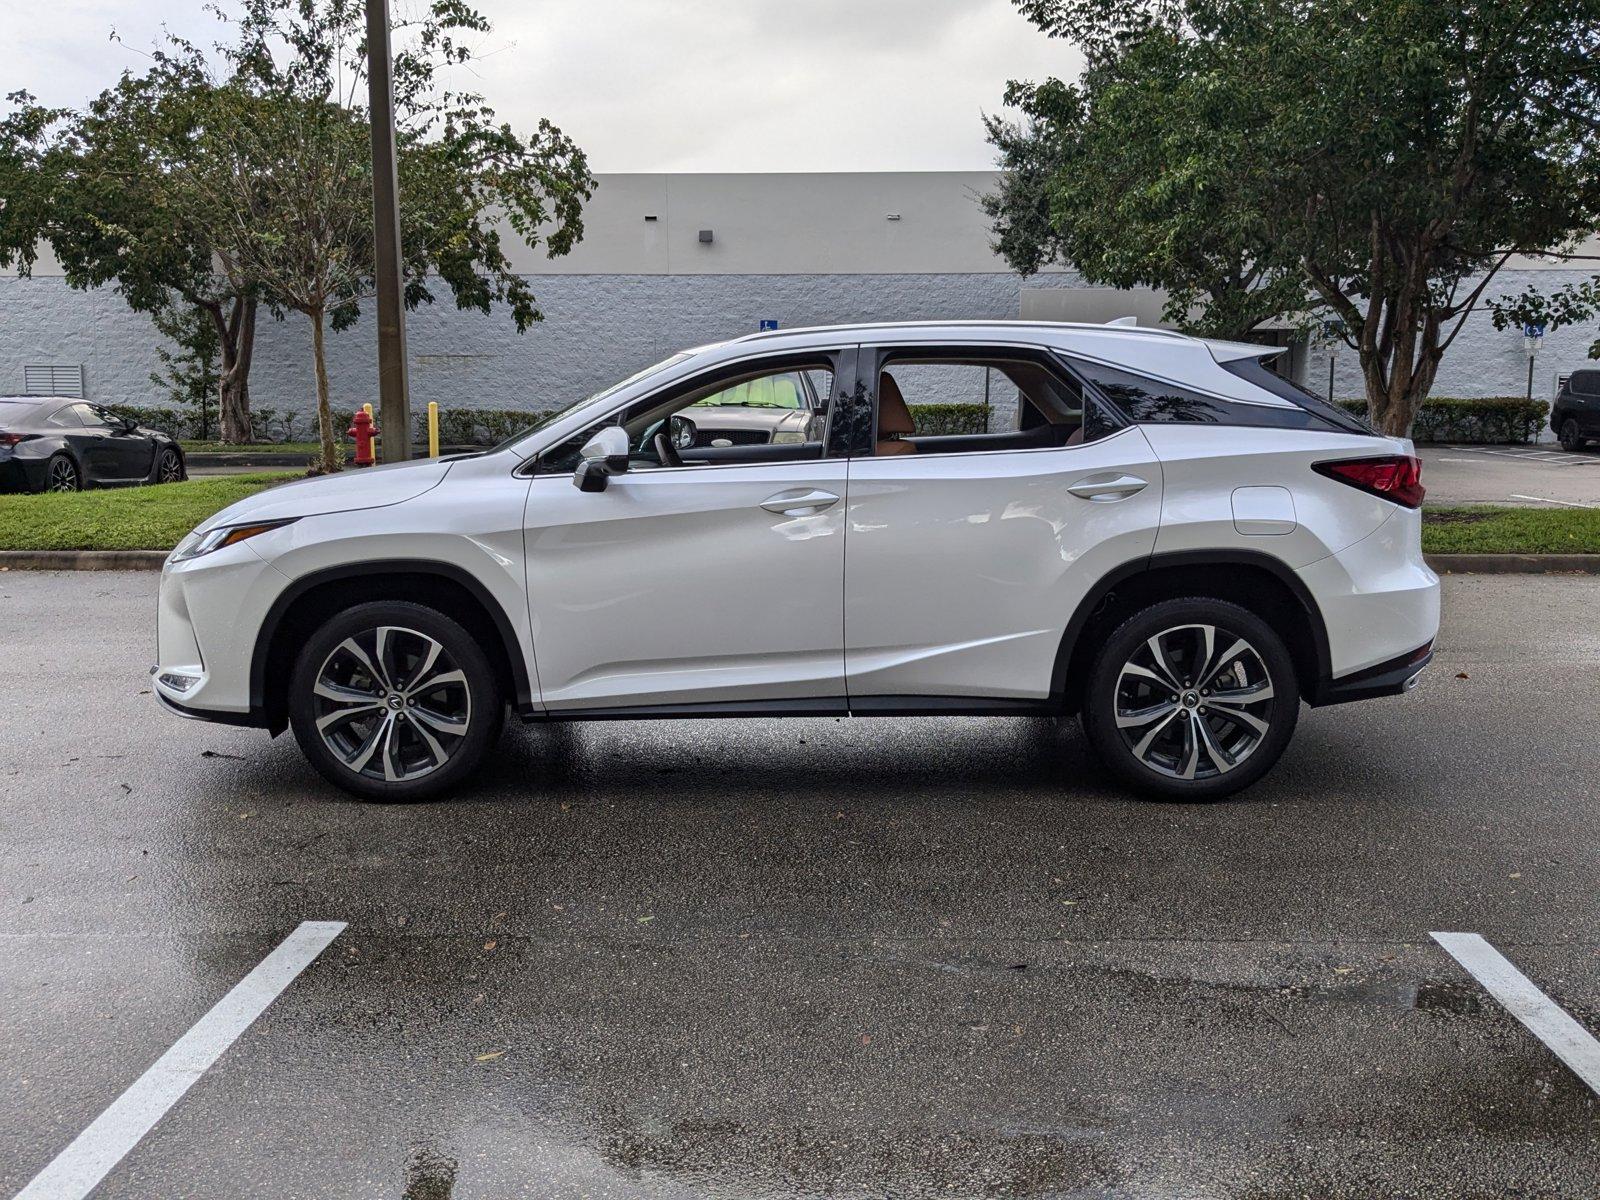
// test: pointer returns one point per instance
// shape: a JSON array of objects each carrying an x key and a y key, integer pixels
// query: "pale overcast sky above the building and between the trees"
[{"x": 663, "y": 86}]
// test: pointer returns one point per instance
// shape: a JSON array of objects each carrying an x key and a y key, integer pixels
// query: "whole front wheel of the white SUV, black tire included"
[{"x": 398, "y": 761}]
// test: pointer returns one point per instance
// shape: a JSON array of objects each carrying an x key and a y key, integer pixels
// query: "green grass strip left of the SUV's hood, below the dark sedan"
[{"x": 122, "y": 519}]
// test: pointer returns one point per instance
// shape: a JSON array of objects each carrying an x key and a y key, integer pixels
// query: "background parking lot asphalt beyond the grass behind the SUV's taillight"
[{"x": 1543, "y": 476}]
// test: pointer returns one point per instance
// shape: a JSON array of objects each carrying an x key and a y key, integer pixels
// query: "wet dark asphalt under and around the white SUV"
[{"x": 812, "y": 958}]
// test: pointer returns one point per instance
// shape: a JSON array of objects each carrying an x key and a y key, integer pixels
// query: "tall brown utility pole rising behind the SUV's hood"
[{"x": 393, "y": 388}]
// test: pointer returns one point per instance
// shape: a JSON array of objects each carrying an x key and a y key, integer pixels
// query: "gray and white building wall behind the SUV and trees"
[{"x": 796, "y": 249}]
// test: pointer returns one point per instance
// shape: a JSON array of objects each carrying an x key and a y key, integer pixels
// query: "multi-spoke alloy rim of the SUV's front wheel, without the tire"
[{"x": 393, "y": 703}]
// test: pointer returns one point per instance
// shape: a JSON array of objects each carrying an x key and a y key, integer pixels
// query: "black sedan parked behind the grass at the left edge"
[{"x": 52, "y": 444}]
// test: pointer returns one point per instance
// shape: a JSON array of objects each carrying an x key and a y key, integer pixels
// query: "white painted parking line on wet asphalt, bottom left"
[{"x": 74, "y": 1174}]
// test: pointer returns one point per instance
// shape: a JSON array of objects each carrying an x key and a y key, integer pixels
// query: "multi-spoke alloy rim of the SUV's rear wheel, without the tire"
[{"x": 1194, "y": 702}]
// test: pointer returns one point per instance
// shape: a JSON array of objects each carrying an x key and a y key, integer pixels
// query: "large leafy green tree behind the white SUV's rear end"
[{"x": 1380, "y": 162}]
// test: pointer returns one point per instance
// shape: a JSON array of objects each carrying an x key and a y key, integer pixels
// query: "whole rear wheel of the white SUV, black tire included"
[{"x": 1220, "y": 746}]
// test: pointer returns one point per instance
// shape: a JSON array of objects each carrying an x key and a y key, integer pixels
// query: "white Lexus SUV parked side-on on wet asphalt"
[{"x": 1158, "y": 534}]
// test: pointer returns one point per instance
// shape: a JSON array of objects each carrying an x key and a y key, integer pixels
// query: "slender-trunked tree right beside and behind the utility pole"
[{"x": 286, "y": 159}]
